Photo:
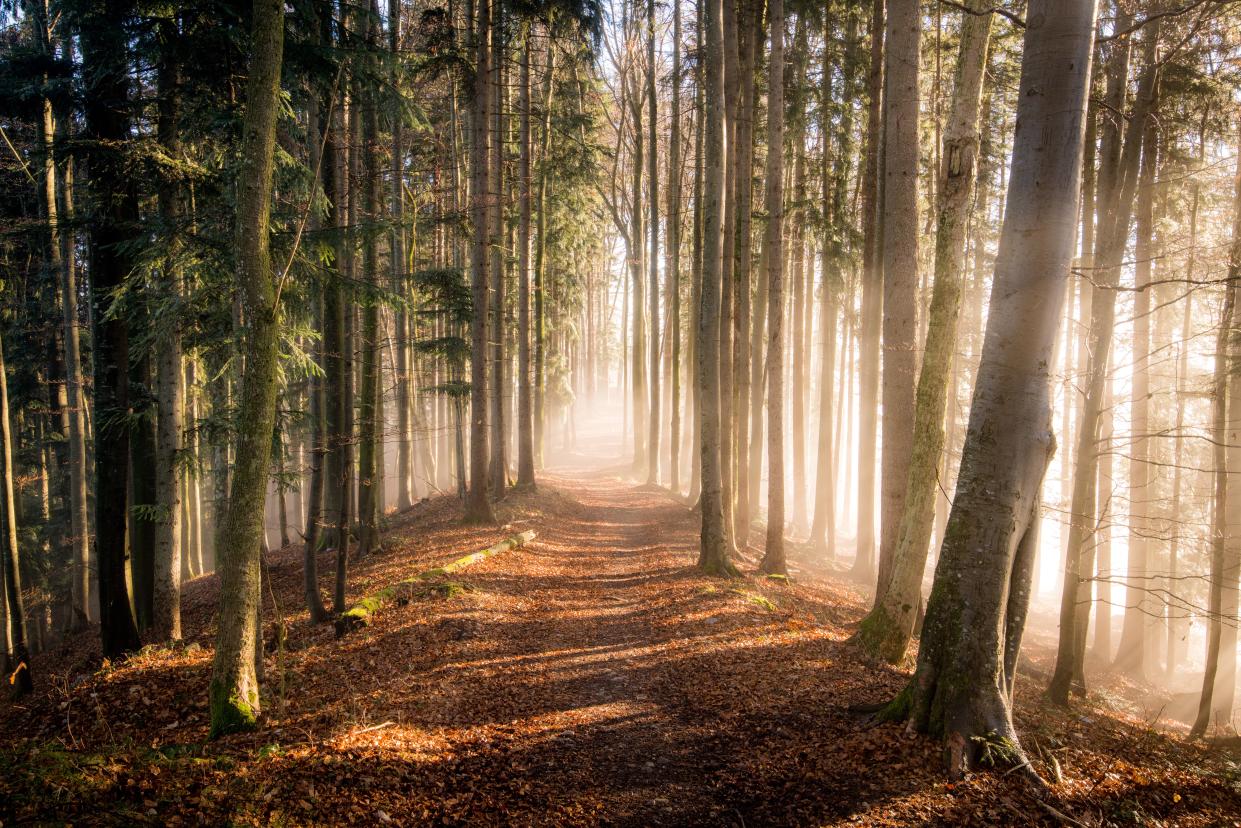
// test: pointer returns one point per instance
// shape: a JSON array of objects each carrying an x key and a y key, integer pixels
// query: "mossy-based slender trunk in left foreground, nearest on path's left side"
[{"x": 234, "y": 693}]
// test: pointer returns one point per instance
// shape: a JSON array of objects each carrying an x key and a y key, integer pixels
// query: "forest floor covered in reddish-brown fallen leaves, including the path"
[{"x": 591, "y": 677}]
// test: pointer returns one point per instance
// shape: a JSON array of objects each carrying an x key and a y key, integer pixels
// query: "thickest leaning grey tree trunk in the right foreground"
[{"x": 962, "y": 687}]
